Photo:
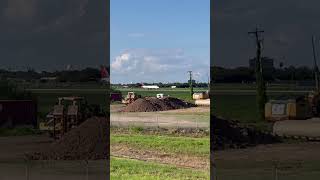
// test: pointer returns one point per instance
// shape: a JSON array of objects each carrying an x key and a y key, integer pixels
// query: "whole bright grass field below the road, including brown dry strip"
[{"x": 149, "y": 151}]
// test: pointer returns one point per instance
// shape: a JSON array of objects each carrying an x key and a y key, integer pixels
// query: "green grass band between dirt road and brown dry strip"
[{"x": 168, "y": 144}]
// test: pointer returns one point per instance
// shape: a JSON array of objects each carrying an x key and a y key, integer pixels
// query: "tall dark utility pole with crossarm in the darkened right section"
[{"x": 261, "y": 87}]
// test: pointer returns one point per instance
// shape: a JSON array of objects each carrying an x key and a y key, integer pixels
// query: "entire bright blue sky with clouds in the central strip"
[{"x": 159, "y": 40}]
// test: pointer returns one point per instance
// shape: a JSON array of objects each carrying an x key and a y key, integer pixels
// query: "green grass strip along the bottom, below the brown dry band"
[{"x": 140, "y": 170}]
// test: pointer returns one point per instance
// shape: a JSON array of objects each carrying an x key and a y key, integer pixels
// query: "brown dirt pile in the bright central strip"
[{"x": 150, "y": 104}]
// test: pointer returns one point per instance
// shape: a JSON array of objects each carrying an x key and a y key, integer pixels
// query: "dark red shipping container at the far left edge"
[{"x": 15, "y": 113}]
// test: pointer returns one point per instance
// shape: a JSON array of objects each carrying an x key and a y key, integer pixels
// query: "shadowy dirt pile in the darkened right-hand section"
[{"x": 230, "y": 134}]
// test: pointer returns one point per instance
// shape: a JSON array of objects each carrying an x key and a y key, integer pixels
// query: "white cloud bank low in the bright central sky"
[{"x": 151, "y": 65}]
